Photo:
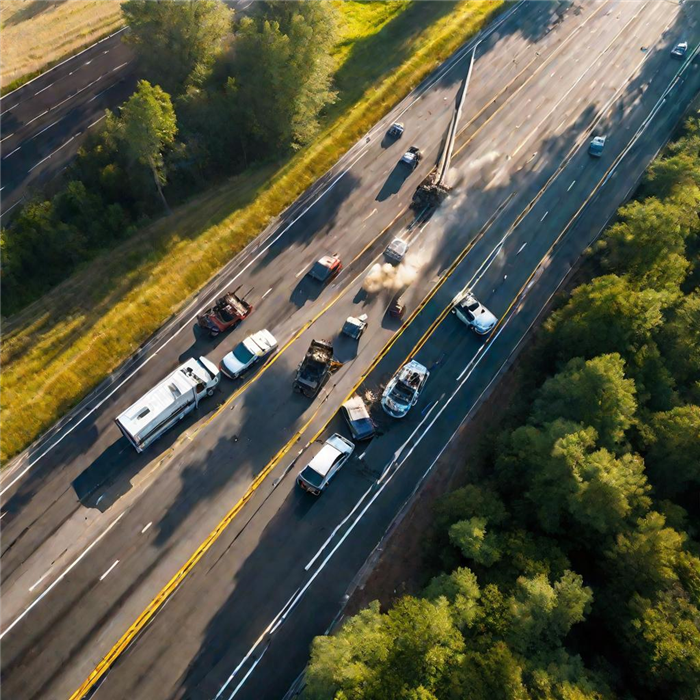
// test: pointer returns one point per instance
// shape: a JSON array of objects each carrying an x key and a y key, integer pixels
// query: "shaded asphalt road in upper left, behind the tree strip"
[{"x": 44, "y": 122}]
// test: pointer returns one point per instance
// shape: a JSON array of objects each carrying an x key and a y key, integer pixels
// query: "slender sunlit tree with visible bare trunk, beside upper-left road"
[{"x": 147, "y": 127}]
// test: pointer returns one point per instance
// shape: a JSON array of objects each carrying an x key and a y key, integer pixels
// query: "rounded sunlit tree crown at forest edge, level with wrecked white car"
[{"x": 594, "y": 393}]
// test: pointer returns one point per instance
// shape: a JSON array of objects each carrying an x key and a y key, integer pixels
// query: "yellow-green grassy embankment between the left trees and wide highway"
[{"x": 66, "y": 343}]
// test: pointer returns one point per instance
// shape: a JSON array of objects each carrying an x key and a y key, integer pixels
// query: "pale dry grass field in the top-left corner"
[{"x": 36, "y": 34}]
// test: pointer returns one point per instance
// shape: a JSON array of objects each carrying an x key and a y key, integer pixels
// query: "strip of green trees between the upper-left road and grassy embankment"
[{"x": 216, "y": 95}]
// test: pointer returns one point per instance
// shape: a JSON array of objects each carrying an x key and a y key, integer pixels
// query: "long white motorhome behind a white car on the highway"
[{"x": 168, "y": 402}]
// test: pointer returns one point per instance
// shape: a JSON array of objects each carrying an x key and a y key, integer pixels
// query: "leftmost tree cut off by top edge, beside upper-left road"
[{"x": 177, "y": 40}]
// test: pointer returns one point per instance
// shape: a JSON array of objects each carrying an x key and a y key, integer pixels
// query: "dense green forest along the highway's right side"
[{"x": 569, "y": 569}]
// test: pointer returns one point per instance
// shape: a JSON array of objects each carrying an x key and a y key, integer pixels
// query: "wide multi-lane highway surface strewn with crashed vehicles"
[{"x": 198, "y": 569}]
